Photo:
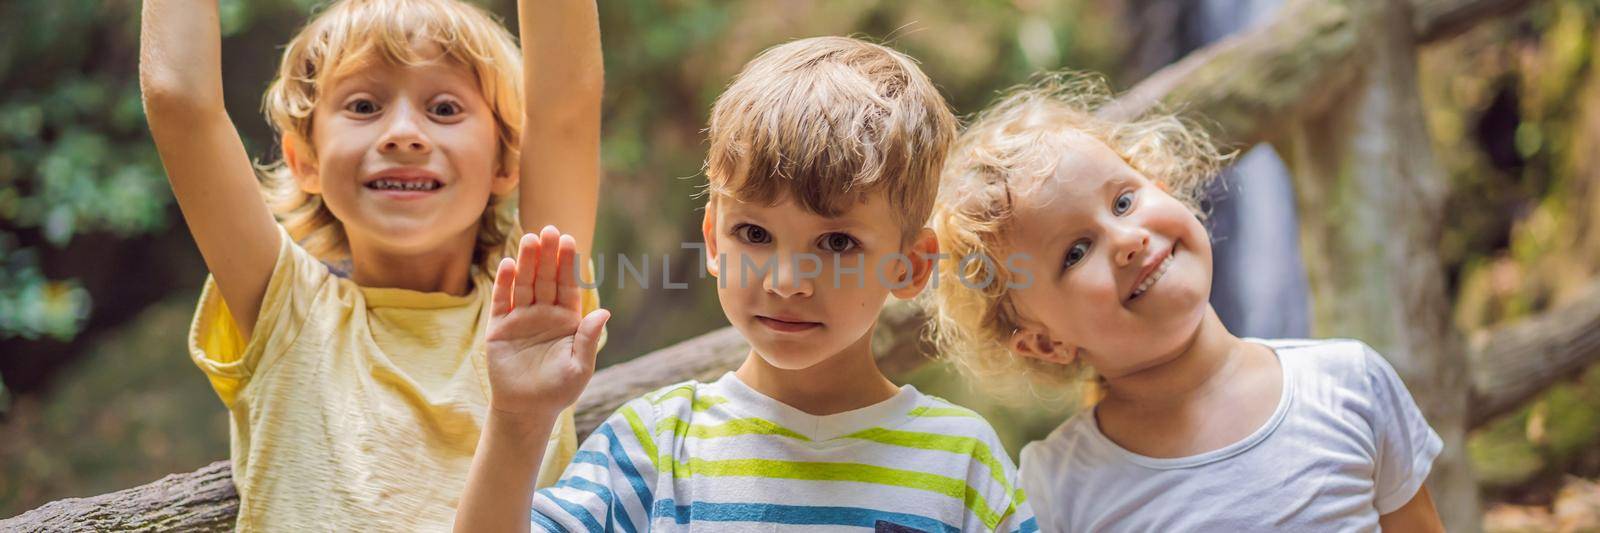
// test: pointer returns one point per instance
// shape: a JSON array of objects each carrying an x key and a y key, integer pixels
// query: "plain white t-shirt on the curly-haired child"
[{"x": 1345, "y": 446}]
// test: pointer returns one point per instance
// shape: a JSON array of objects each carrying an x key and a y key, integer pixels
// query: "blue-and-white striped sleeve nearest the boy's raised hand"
[{"x": 610, "y": 481}]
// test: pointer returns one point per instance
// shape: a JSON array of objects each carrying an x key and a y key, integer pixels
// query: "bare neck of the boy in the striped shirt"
[{"x": 846, "y": 382}]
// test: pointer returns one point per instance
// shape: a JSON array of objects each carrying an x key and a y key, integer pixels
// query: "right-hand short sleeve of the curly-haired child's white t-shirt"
[{"x": 1406, "y": 444}]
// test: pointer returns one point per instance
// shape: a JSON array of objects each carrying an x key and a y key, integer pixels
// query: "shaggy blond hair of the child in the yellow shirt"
[{"x": 351, "y": 34}]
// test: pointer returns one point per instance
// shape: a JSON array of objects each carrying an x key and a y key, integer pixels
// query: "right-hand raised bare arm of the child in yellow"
[{"x": 561, "y": 143}]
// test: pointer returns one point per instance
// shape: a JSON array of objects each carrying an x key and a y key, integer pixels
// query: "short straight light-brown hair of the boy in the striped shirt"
[{"x": 825, "y": 122}]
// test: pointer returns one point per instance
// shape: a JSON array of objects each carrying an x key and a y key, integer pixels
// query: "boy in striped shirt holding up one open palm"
[{"x": 823, "y": 170}]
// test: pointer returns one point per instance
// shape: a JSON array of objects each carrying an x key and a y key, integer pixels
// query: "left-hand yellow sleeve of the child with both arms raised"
[{"x": 222, "y": 350}]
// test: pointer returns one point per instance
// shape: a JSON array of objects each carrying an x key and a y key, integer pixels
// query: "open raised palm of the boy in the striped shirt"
[{"x": 540, "y": 353}]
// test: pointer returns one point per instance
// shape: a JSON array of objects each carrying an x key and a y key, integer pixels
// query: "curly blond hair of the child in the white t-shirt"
[{"x": 1012, "y": 148}]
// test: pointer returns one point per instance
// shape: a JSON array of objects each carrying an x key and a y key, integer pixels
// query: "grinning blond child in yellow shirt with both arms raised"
[{"x": 346, "y": 337}]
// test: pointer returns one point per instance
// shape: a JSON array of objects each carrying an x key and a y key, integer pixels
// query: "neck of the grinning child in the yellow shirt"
[{"x": 442, "y": 270}]
